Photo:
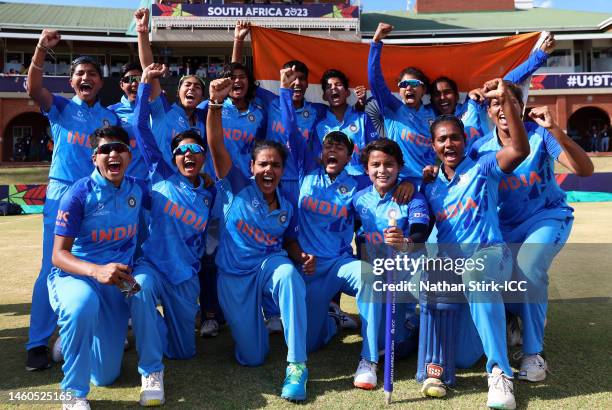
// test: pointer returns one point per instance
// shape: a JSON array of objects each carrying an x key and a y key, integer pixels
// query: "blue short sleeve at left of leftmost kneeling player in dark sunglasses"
[{"x": 71, "y": 210}]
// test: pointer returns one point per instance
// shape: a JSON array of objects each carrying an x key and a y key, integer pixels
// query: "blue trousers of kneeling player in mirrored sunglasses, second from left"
[{"x": 171, "y": 335}]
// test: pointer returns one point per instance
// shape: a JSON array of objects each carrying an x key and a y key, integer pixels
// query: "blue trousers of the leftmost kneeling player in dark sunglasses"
[{"x": 93, "y": 324}]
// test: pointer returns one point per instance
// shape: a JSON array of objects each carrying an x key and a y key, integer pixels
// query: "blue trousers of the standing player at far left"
[{"x": 42, "y": 318}]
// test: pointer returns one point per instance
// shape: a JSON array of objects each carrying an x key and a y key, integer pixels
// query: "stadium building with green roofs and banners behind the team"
[{"x": 197, "y": 38}]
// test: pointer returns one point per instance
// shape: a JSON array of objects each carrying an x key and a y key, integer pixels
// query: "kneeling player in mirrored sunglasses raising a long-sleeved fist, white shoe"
[{"x": 168, "y": 270}]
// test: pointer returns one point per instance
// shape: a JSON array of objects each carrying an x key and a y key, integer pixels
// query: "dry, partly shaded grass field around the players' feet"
[{"x": 578, "y": 347}]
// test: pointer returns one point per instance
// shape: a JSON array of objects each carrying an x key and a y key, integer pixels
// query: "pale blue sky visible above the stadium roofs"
[{"x": 368, "y": 5}]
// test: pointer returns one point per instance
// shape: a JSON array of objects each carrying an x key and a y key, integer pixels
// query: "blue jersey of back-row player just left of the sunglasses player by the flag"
[{"x": 356, "y": 125}]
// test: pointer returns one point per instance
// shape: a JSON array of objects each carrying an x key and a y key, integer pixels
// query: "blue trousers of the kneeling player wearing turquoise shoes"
[{"x": 241, "y": 298}]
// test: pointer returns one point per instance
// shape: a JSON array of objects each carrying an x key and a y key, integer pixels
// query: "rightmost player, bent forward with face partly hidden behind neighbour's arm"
[{"x": 535, "y": 219}]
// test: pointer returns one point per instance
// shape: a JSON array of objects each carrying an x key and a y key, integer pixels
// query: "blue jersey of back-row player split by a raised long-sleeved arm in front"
[{"x": 307, "y": 116}]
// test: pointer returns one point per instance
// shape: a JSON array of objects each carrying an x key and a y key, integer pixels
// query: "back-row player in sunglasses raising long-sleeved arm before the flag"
[{"x": 406, "y": 120}]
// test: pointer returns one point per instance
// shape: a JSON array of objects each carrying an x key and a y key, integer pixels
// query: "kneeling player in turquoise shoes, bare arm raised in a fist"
[{"x": 257, "y": 222}]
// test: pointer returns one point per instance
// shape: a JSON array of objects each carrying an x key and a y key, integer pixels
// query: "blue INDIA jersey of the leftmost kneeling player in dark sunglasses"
[{"x": 102, "y": 219}]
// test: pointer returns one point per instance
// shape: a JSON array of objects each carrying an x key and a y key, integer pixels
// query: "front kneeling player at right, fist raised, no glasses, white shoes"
[{"x": 463, "y": 199}]
